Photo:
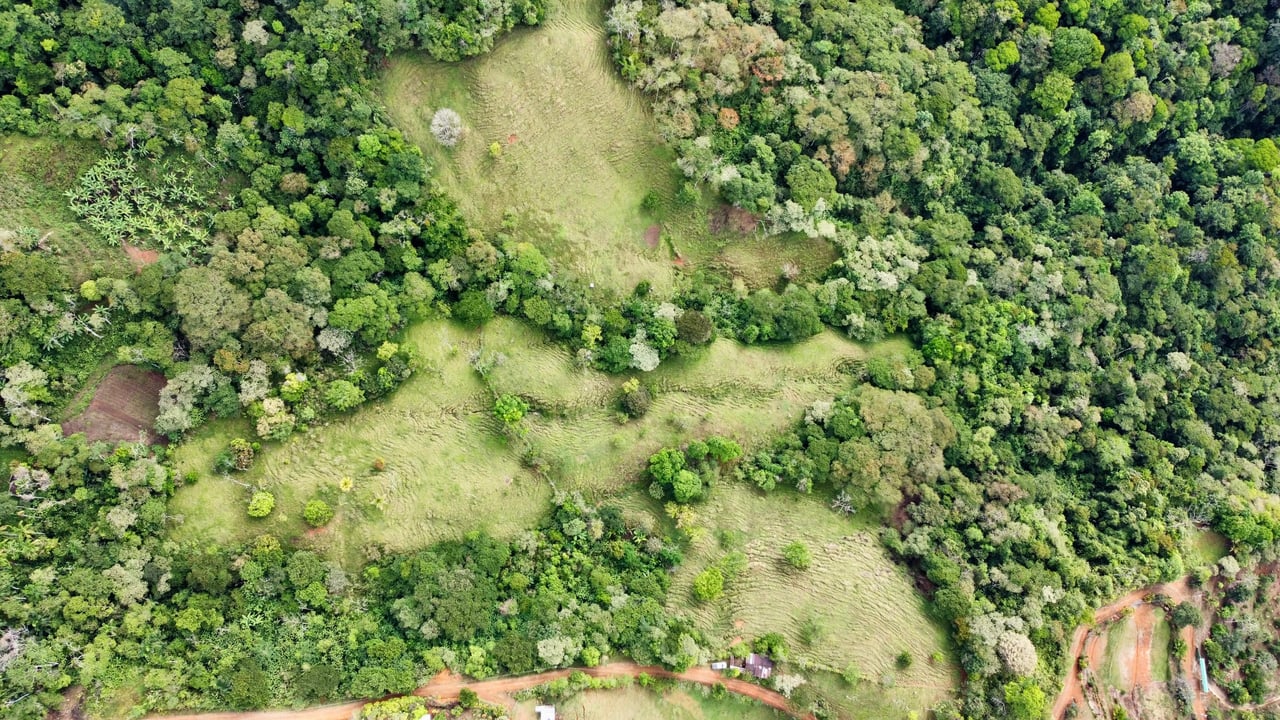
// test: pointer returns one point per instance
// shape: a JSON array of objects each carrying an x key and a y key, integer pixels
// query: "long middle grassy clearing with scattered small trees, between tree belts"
[{"x": 449, "y": 468}]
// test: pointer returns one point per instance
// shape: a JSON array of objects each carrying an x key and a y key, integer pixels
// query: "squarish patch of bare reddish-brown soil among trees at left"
[{"x": 125, "y": 405}]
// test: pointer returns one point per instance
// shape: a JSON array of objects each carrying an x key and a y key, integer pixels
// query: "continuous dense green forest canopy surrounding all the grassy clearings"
[{"x": 1069, "y": 208}]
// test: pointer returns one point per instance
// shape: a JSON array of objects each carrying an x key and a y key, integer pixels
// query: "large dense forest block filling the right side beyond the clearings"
[{"x": 1073, "y": 211}]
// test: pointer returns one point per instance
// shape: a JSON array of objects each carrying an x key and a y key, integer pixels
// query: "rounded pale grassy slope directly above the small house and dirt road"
[{"x": 854, "y": 607}]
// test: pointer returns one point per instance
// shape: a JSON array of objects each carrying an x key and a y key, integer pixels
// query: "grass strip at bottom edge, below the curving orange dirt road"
[{"x": 638, "y": 704}]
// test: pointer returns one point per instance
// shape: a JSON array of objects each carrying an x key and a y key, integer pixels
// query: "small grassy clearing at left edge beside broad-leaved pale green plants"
[{"x": 34, "y": 176}]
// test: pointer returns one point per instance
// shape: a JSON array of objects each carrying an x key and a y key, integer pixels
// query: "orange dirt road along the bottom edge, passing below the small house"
[{"x": 447, "y": 686}]
